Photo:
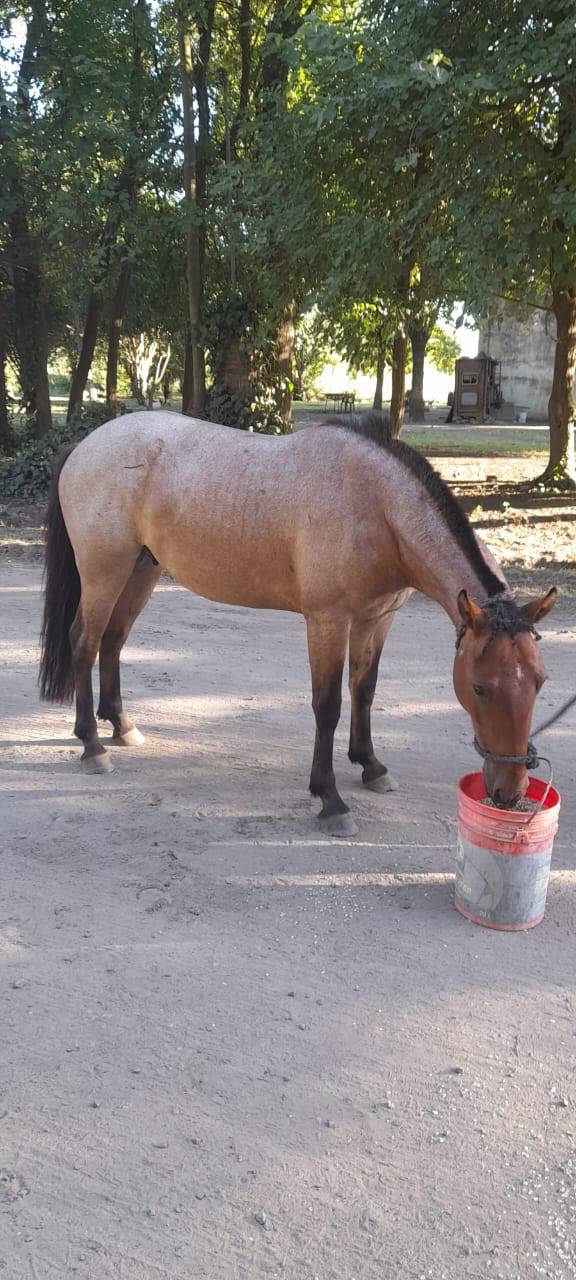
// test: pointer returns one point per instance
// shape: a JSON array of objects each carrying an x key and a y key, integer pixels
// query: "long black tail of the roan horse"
[{"x": 62, "y": 593}]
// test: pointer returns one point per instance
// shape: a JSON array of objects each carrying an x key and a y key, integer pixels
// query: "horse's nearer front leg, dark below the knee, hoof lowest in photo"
[{"x": 328, "y": 639}]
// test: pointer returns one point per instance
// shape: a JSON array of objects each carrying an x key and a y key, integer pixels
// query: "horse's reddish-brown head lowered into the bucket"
[{"x": 499, "y": 674}]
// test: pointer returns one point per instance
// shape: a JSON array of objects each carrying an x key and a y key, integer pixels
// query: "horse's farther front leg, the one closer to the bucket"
[{"x": 365, "y": 648}]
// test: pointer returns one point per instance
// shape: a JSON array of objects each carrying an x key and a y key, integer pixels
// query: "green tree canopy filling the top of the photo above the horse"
[{"x": 203, "y": 172}]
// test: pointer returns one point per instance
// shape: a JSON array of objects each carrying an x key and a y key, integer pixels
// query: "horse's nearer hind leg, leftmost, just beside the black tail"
[{"x": 98, "y": 600}]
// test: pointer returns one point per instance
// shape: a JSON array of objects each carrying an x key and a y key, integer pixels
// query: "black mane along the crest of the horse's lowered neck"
[{"x": 376, "y": 429}]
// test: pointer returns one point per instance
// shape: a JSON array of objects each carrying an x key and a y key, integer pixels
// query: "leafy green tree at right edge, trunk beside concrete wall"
[{"x": 500, "y": 89}]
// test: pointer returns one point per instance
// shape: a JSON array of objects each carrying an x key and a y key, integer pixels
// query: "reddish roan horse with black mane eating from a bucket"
[{"x": 339, "y": 523}]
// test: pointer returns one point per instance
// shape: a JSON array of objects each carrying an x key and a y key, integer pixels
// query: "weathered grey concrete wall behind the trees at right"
[{"x": 527, "y": 351}]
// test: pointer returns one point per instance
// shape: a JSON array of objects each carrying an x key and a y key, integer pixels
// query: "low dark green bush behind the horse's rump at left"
[{"x": 29, "y": 473}]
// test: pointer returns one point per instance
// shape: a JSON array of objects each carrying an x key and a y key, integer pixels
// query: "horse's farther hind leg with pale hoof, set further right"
[{"x": 132, "y": 601}]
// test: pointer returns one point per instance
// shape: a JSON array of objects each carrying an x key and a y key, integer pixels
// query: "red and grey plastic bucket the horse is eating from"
[{"x": 504, "y": 861}]
